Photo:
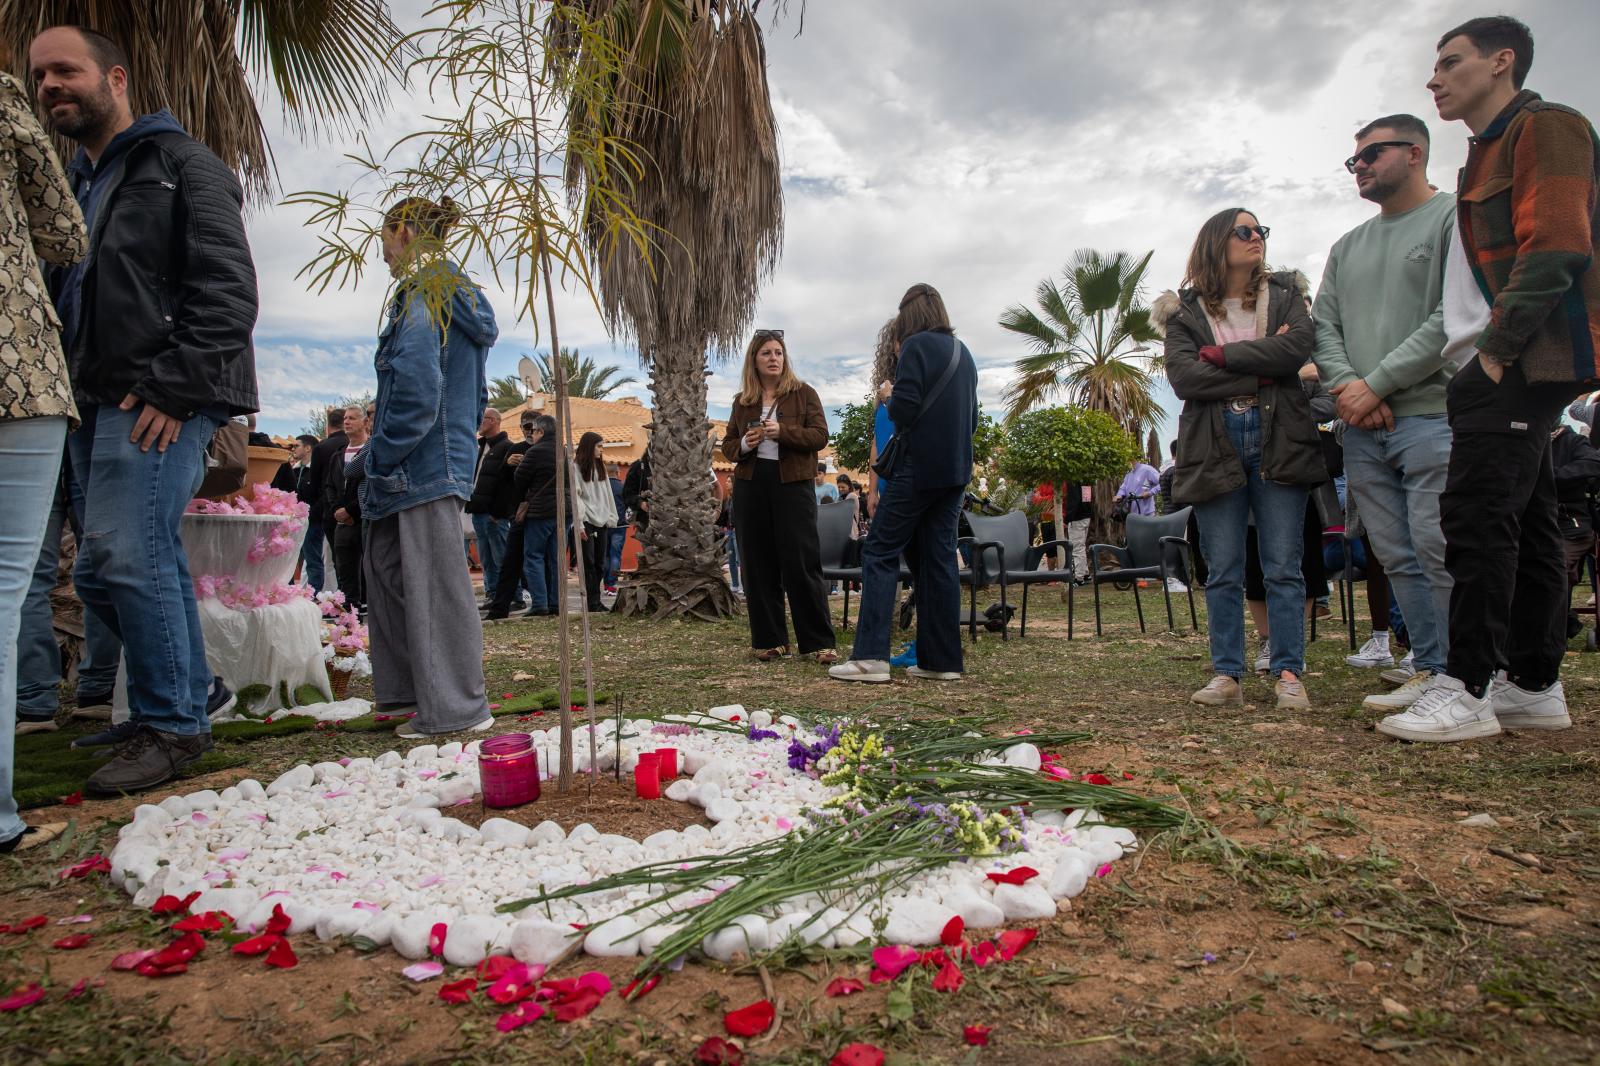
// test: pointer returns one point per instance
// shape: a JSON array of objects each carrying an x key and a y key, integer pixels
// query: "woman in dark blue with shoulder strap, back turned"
[{"x": 934, "y": 403}]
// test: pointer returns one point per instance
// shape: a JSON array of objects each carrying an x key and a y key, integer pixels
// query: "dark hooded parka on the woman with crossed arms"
[{"x": 1268, "y": 369}]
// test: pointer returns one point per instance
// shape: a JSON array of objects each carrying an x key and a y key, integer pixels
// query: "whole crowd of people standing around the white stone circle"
[{"x": 1446, "y": 340}]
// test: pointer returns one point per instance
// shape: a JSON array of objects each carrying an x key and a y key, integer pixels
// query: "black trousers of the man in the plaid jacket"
[{"x": 1503, "y": 545}]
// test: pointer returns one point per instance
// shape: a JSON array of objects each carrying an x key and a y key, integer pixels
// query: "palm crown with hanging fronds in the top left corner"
[{"x": 332, "y": 65}]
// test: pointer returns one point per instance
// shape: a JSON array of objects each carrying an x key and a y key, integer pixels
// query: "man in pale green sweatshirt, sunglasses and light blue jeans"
[{"x": 1380, "y": 350}]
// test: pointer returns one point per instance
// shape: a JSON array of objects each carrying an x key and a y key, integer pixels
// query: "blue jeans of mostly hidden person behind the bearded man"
[{"x": 38, "y": 654}]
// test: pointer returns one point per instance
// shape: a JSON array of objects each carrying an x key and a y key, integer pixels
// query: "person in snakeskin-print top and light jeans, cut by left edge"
[{"x": 39, "y": 217}]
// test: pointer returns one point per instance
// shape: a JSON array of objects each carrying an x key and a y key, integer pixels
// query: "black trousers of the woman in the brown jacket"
[{"x": 782, "y": 556}]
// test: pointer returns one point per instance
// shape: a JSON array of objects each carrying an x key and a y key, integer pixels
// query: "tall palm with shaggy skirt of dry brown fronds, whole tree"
[{"x": 694, "y": 102}]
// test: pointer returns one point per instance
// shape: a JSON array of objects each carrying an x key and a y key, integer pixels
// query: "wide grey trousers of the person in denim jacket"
[{"x": 423, "y": 620}]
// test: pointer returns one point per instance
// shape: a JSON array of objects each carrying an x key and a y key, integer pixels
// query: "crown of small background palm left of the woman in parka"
[{"x": 1089, "y": 342}]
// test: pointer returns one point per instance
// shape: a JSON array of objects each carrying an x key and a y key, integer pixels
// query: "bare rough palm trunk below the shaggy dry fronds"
[{"x": 681, "y": 566}]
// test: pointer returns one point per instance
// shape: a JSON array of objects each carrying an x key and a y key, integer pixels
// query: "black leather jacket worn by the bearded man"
[{"x": 169, "y": 299}]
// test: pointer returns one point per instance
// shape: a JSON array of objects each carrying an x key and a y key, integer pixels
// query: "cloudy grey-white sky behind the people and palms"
[{"x": 977, "y": 146}]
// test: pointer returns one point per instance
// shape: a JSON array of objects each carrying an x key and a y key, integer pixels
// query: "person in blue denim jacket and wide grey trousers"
[{"x": 423, "y": 620}]
